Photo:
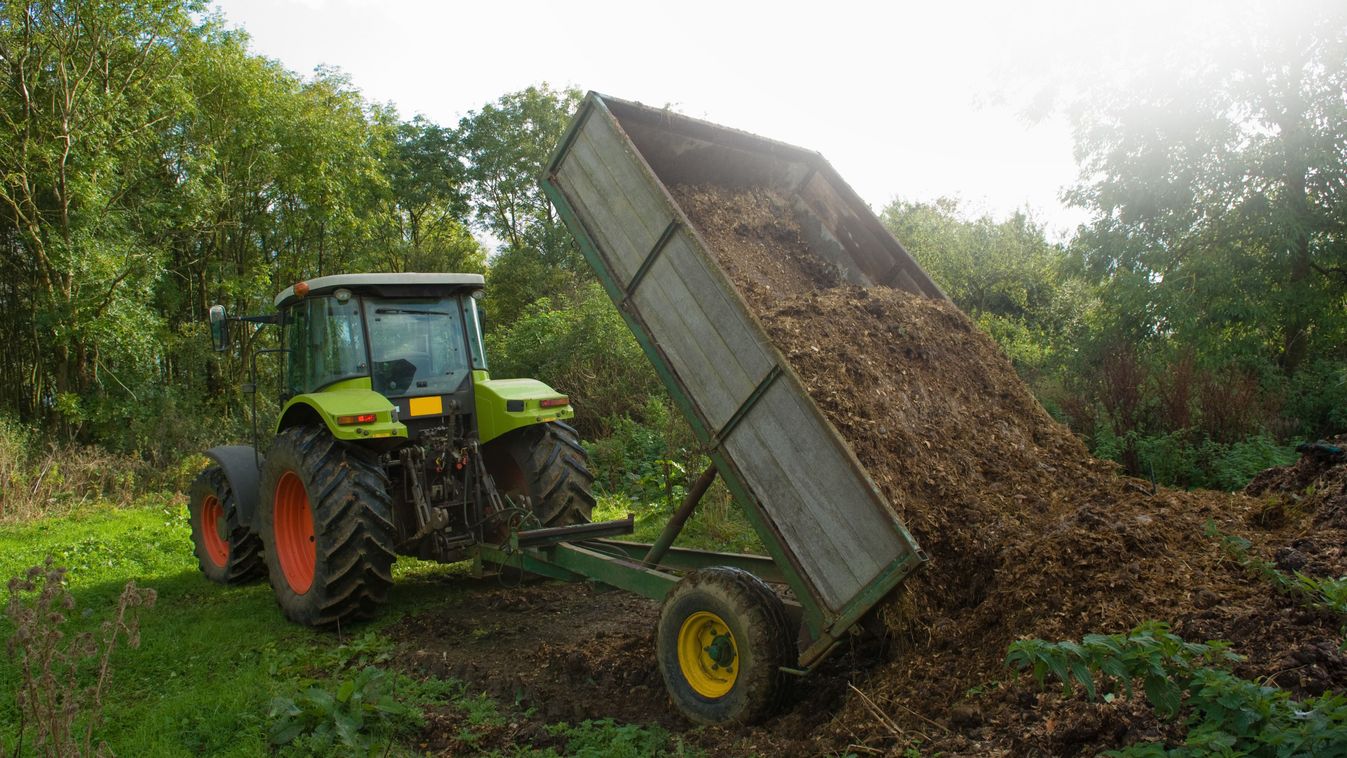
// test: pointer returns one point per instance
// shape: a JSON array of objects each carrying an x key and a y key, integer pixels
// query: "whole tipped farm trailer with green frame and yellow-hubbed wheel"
[{"x": 728, "y": 638}]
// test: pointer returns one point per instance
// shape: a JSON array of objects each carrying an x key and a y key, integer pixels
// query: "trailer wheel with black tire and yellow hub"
[{"x": 709, "y": 686}]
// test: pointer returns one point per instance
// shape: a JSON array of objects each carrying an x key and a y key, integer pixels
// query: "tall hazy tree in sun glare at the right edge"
[{"x": 1218, "y": 197}]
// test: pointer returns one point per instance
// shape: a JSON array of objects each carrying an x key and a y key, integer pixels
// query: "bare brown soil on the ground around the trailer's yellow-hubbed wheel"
[{"x": 572, "y": 652}]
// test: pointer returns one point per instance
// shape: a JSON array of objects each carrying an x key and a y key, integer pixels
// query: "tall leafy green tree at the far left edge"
[{"x": 87, "y": 95}]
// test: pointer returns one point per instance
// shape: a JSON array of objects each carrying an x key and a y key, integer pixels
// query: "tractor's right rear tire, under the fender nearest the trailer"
[{"x": 546, "y": 464}]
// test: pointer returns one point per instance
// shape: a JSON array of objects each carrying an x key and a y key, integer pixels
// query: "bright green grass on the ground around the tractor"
[{"x": 215, "y": 659}]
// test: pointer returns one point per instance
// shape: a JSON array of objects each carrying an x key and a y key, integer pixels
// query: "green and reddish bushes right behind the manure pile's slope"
[{"x": 1164, "y": 415}]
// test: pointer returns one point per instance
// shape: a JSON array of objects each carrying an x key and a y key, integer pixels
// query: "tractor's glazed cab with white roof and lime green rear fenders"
[{"x": 403, "y": 348}]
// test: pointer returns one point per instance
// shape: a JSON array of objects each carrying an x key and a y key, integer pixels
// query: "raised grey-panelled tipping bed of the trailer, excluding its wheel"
[{"x": 832, "y": 535}]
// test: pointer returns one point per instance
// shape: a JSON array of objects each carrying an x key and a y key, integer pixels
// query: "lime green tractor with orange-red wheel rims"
[{"x": 393, "y": 440}]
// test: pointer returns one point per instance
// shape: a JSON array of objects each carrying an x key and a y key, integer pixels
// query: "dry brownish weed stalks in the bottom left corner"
[{"x": 53, "y": 702}]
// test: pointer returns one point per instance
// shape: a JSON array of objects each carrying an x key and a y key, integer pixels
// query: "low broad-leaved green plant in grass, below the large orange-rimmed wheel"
[{"x": 360, "y": 710}]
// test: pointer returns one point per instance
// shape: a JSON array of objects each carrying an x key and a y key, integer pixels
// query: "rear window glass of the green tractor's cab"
[{"x": 417, "y": 345}]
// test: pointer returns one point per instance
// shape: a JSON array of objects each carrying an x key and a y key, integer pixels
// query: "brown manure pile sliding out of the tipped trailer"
[{"x": 1028, "y": 535}]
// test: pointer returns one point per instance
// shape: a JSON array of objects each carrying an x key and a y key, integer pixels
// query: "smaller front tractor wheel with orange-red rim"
[{"x": 227, "y": 550}]
